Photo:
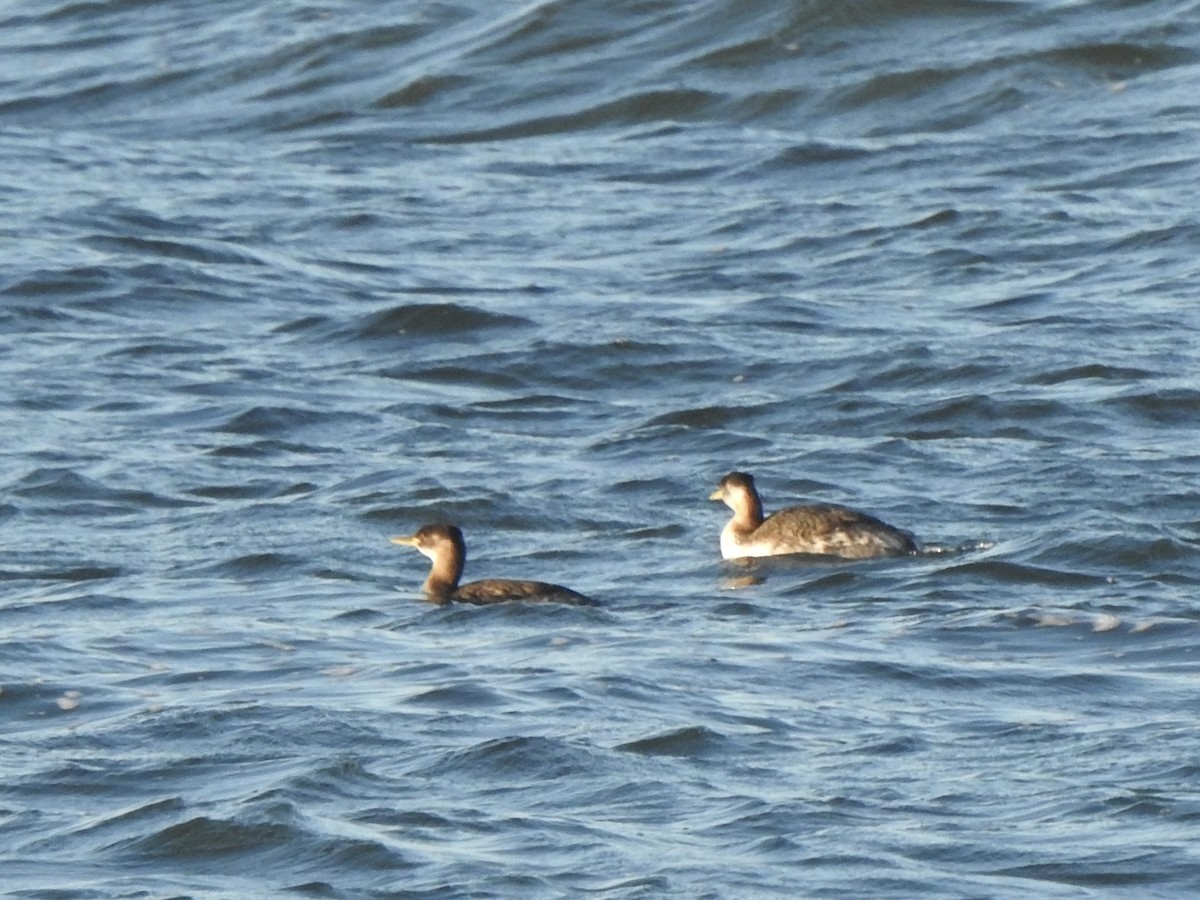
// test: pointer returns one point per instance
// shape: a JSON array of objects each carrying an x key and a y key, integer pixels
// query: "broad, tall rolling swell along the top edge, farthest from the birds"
[{"x": 476, "y": 73}]
